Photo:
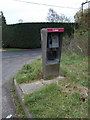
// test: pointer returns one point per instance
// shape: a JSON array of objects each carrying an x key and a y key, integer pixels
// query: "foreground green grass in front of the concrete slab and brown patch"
[{"x": 53, "y": 102}]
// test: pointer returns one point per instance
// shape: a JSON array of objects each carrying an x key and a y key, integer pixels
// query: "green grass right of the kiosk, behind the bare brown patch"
[{"x": 75, "y": 68}]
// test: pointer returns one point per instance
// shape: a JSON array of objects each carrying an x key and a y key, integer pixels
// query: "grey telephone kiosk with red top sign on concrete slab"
[{"x": 51, "y": 42}]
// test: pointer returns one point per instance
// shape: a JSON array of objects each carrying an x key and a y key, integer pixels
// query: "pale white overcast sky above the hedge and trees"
[{"x": 15, "y": 10}]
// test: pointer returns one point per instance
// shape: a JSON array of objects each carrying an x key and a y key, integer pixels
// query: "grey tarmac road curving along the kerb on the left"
[{"x": 12, "y": 61}]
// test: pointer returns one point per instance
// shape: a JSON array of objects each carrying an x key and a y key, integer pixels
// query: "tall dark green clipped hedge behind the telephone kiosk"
[{"x": 27, "y": 35}]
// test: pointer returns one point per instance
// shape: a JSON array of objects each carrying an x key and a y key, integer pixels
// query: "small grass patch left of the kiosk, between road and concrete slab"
[{"x": 30, "y": 72}]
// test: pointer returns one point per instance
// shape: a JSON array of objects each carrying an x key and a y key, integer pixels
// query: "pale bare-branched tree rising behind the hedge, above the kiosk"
[{"x": 54, "y": 17}]
